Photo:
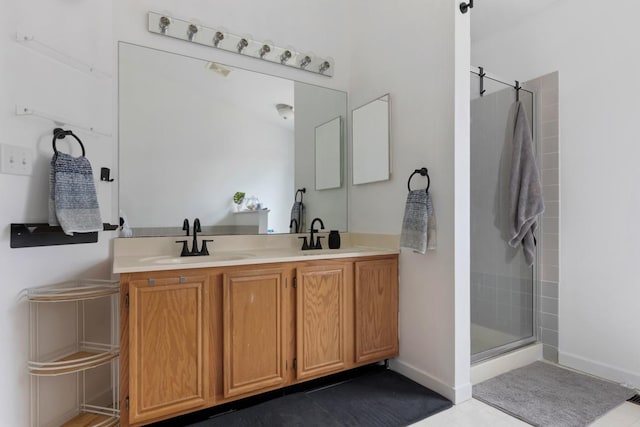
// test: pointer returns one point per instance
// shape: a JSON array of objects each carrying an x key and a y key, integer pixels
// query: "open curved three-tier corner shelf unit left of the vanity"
[{"x": 73, "y": 354}]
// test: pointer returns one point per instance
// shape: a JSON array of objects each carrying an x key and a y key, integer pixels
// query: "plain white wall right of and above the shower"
[{"x": 588, "y": 43}]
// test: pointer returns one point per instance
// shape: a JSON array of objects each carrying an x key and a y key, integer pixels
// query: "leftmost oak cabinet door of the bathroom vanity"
[{"x": 166, "y": 345}]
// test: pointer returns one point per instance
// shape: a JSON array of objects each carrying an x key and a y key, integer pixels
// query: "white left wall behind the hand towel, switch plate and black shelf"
[{"x": 81, "y": 30}]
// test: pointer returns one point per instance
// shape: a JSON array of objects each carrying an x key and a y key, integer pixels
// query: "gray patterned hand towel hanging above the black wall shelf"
[{"x": 73, "y": 203}]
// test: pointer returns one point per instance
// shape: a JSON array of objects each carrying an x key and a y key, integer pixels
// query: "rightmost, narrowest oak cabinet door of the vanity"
[{"x": 376, "y": 309}]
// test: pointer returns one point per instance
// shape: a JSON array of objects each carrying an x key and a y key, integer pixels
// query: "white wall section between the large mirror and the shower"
[{"x": 407, "y": 49}]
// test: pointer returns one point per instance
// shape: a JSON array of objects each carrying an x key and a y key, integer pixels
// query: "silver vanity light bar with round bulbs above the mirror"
[{"x": 177, "y": 28}]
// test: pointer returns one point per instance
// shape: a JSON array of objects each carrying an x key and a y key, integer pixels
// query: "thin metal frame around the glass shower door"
[{"x": 505, "y": 348}]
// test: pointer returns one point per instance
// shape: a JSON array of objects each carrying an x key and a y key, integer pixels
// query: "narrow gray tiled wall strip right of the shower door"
[{"x": 546, "y": 89}]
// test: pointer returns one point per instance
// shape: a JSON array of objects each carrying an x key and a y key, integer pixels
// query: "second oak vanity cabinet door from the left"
[{"x": 253, "y": 331}]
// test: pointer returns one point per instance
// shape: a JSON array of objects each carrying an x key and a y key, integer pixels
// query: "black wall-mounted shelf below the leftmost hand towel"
[{"x": 43, "y": 234}]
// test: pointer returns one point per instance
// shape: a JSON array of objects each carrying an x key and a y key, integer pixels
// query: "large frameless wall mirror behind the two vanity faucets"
[{"x": 192, "y": 133}]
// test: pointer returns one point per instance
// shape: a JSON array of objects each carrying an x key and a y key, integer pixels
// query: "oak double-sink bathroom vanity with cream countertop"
[{"x": 196, "y": 333}]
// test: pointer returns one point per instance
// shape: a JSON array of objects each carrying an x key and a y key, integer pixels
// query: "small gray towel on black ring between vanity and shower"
[{"x": 419, "y": 222}]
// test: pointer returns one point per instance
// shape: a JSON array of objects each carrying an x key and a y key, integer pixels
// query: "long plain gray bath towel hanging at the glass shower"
[{"x": 525, "y": 192}]
